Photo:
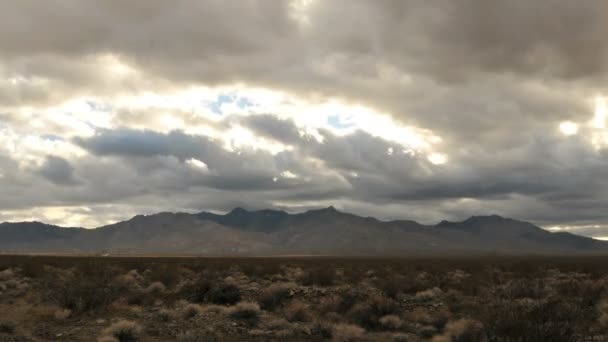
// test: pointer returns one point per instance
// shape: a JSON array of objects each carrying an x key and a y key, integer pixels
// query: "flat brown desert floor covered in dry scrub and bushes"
[{"x": 485, "y": 298}]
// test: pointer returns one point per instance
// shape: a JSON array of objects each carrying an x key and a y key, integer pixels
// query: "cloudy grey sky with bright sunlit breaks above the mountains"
[{"x": 426, "y": 110}]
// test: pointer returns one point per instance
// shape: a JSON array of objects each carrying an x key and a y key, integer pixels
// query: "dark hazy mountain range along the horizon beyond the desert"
[{"x": 273, "y": 232}]
